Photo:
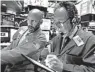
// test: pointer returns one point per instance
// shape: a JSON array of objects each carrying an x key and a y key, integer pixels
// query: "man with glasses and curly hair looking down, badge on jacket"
[{"x": 73, "y": 50}]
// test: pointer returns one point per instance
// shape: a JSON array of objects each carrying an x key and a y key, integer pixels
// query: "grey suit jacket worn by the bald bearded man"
[{"x": 29, "y": 46}]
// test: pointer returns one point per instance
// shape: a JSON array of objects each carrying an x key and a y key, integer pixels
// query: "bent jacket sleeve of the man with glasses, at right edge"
[{"x": 88, "y": 59}]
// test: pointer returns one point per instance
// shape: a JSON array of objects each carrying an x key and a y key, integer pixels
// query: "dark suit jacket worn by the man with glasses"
[{"x": 76, "y": 58}]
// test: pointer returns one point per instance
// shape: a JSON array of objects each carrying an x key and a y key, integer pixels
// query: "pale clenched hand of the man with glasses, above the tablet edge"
[{"x": 54, "y": 63}]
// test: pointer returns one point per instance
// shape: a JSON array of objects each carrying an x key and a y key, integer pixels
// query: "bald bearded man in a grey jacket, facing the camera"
[{"x": 28, "y": 40}]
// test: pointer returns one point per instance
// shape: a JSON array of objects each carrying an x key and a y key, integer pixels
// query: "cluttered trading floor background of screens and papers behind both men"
[{"x": 14, "y": 15}]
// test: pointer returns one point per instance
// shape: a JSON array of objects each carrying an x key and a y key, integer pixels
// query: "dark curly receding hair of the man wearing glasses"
[{"x": 70, "y": 8}]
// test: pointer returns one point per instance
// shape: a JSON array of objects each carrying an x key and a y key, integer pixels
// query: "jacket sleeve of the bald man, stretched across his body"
[{"x": 14, "y": 55}]
